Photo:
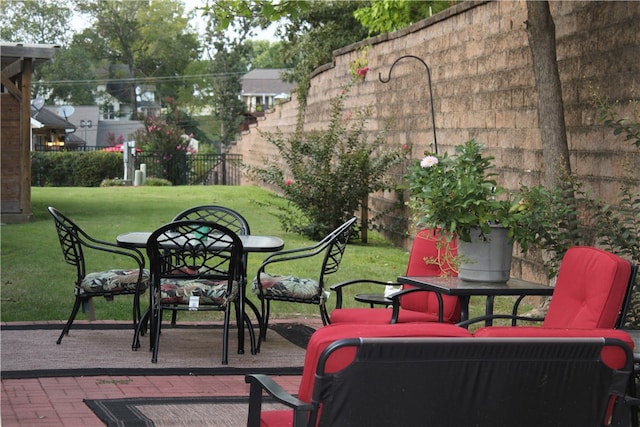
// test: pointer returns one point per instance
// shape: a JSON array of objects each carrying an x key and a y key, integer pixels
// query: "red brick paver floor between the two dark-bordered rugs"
[{"x": 58, "y": 401}]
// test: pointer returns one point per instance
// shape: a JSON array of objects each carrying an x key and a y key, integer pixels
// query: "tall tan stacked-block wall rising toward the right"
[{"x": 484, "y": 87}]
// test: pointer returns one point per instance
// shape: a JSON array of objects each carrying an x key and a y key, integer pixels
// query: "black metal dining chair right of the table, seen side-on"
[{"x": 291, "y": 288}]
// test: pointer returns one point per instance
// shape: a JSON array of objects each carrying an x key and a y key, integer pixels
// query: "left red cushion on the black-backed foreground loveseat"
[{"x": 328, "y": 334}]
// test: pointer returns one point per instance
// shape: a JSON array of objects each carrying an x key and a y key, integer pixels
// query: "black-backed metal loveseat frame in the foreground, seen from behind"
[{"x": 453, "y": 382}]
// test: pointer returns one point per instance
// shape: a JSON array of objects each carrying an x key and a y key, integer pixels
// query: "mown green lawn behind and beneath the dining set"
[{"x": 38, "y": 285}]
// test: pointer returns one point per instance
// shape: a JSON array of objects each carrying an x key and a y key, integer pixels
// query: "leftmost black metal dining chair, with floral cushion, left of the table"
[{"x": 132, "y": 280}]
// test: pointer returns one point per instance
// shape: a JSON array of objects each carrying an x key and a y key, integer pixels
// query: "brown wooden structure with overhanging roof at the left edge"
[{"x": 18, "y": 63}]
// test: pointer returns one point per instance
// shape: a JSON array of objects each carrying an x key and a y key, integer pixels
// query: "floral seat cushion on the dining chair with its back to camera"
[{"x": 174, "y": 291}]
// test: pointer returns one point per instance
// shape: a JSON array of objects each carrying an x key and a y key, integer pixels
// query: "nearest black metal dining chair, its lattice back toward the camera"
[{"x": 195, "y": 266}]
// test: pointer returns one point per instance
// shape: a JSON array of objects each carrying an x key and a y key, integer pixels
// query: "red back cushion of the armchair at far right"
[{"x": 589, "y": 291}]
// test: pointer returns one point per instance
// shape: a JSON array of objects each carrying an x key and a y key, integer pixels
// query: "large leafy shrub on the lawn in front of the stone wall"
[{"x": 329, "y": 174}]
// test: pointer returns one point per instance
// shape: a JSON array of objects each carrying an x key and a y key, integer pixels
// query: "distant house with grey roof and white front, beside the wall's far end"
[{"x": 261, "y": 88}]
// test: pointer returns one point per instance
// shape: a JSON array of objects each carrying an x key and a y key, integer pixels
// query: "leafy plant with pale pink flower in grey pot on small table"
[{"x": 458, "y": 195}]
